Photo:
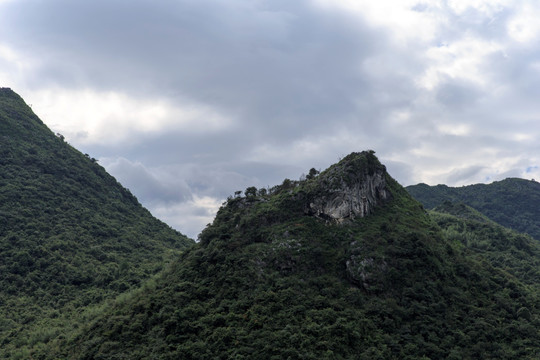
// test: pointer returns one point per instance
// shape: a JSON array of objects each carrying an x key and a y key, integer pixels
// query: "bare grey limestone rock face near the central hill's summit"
[{"x": 351, "y": 191}]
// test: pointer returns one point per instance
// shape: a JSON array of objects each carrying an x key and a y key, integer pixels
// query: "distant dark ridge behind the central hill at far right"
[{"x": 511, "y": 202}]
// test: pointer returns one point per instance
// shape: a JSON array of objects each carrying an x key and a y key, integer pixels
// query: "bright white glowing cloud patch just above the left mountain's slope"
[{"x": 112, "y": 118}]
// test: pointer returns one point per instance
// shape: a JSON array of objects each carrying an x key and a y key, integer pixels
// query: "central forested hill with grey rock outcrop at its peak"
[{"x": 344, "y": 265}]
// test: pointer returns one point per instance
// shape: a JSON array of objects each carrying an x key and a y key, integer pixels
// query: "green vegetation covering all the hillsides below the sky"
[{"x": 87, "y": 273}]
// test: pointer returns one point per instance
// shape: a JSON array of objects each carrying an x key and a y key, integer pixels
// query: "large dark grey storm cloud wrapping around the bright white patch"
[{"x": 282, "y": 71}]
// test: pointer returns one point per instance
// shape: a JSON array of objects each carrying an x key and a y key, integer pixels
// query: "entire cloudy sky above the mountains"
[{"x": 187, "y": 101}]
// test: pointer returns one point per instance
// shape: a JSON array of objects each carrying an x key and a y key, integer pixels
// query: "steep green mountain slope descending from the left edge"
[{"x": 71, "y": 237}]
